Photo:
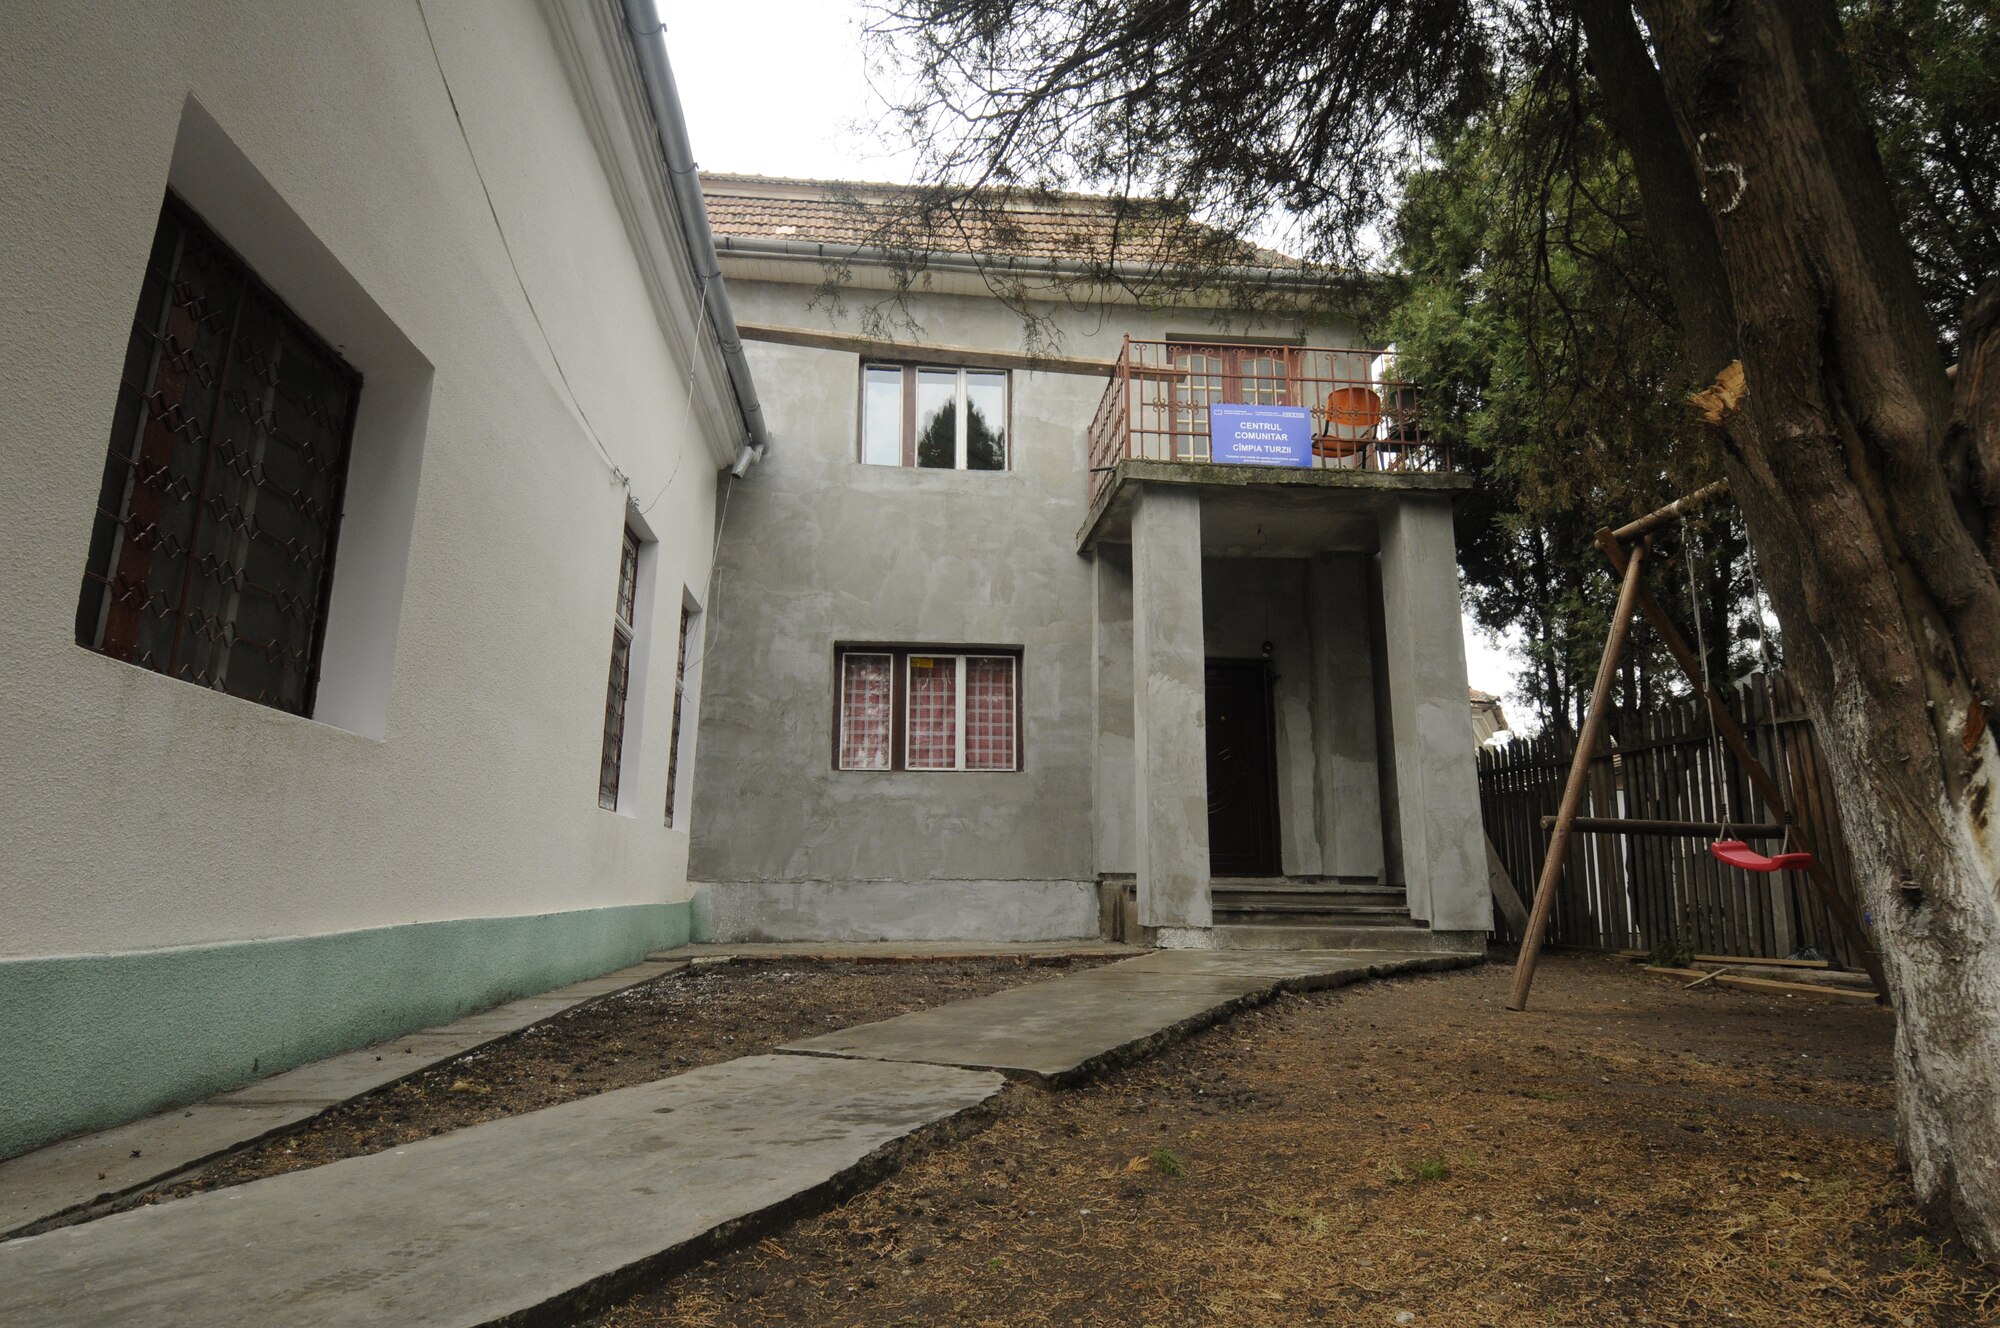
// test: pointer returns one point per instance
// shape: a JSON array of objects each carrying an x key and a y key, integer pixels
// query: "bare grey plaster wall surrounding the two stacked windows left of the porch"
[{"x": 819, "y": 549}]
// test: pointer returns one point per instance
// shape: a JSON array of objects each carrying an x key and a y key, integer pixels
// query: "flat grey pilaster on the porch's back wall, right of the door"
[{"x": 1349, "y": 785}]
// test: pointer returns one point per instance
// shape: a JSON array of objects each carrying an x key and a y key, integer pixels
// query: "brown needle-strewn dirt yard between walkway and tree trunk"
[{"x": 1405, "y": 1153}]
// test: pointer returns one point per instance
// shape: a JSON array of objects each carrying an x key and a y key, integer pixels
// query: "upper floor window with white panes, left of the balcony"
[{"x": 939, "y": 419}]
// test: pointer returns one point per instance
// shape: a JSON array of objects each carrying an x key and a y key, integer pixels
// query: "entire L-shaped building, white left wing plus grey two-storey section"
[{"x": 401, "y": 621}]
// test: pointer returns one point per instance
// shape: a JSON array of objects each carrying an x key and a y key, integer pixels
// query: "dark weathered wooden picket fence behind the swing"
[{"x": 1635, "y": 893}]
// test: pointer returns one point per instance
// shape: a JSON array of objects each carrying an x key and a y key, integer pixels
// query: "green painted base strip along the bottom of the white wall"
[{"x": 91, "y": 1041}]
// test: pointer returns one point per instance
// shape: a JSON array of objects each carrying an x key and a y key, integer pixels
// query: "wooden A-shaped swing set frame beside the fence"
[{"x": 1627, "y": 549}]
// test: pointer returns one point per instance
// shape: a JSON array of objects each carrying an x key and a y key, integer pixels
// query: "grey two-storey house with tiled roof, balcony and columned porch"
[{"x": 1007, "y": 653}]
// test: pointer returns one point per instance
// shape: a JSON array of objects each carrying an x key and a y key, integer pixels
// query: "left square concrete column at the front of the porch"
[{"x": 1169, "y": 717}]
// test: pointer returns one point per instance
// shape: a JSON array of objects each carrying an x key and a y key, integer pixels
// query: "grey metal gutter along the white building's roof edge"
[{"x": 649, "y": 43}]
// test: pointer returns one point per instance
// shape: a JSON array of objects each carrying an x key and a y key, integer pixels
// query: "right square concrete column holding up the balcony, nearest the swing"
[{"x": 1437, "y": 781}]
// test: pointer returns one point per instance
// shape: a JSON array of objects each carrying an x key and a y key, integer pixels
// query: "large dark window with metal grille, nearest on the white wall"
[{"x": 213, "y": 549}]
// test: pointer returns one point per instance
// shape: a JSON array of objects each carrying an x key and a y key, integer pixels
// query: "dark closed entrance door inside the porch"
[{"x": 1243, "y": 771}]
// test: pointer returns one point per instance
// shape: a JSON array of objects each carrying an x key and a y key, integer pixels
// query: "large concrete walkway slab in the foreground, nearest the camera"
[{"x": 495, "y": 1221}]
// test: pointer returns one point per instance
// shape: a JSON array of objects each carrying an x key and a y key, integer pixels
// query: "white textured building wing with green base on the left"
[{"x": 359, "y": 433}]
